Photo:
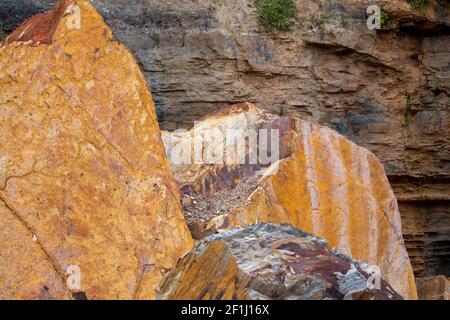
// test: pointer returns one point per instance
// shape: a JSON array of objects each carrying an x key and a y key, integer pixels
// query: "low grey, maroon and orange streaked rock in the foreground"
[{"x": 271, "y": 262}]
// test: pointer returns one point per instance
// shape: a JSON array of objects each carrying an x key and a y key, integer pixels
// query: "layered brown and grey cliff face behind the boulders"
[{"x": 387, "y": 90}]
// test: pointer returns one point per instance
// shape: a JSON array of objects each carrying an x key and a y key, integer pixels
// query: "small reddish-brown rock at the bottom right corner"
[{"x": 434, "y": 288}]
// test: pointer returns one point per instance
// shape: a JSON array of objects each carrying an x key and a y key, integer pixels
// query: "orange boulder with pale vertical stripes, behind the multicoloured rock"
[{"x": 323, "y": 184}]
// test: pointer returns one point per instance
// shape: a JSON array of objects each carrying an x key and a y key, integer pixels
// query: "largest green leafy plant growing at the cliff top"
[{"x": 279, "y": 14}]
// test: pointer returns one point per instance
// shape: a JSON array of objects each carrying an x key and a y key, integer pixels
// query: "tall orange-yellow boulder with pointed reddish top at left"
[{"x": 84, "y": 180}]
